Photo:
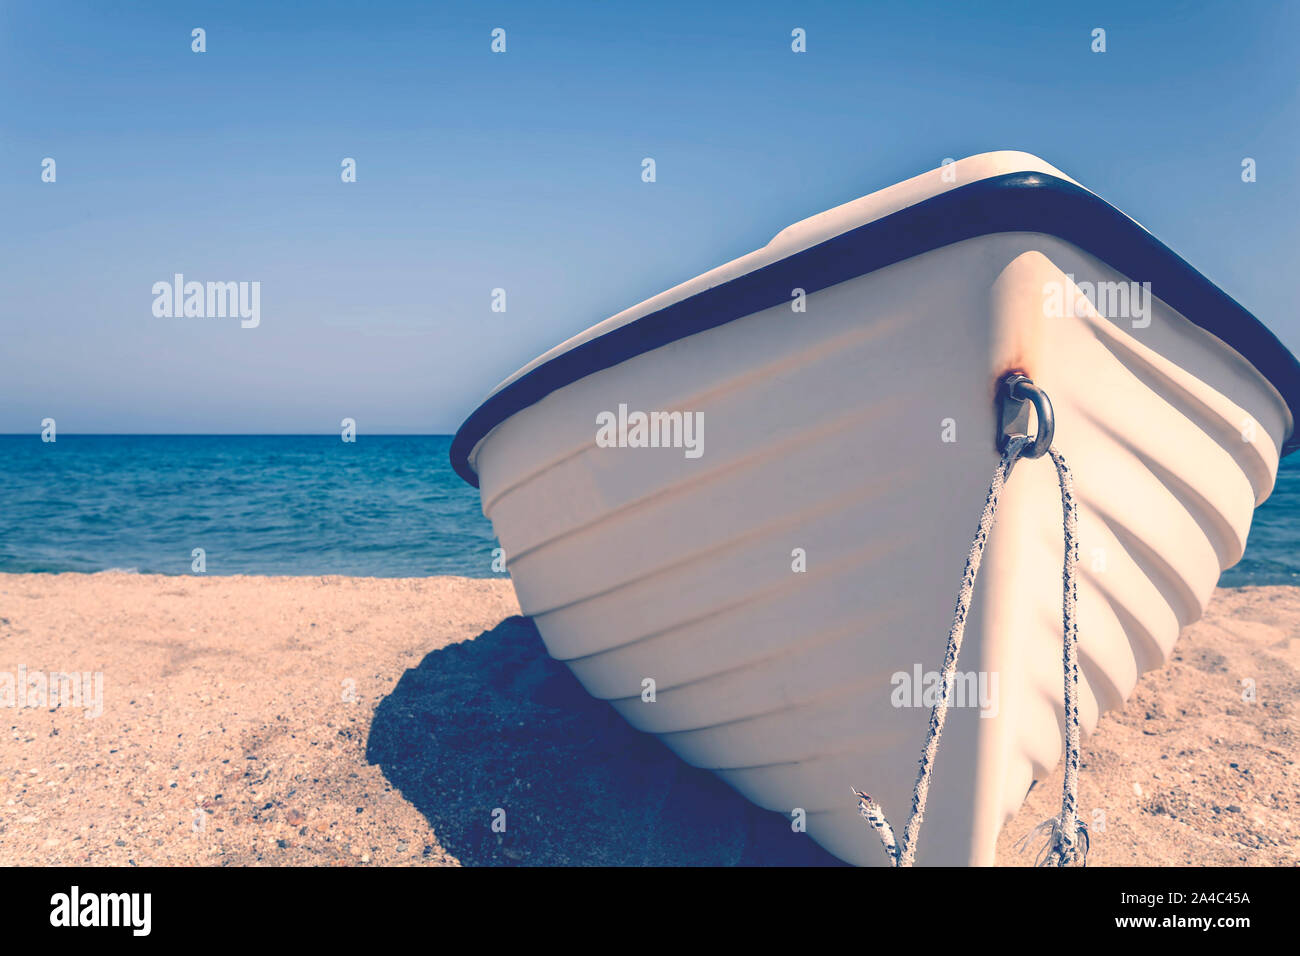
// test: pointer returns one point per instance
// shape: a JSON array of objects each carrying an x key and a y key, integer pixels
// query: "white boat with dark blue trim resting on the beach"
[{"x": 861, "y": 434}]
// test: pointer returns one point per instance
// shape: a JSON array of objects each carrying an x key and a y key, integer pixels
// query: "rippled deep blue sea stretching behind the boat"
[{"x": 383, "y": 507}]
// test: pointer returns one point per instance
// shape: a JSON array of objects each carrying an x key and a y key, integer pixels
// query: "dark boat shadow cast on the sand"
[{"x": 497, "y": 724}]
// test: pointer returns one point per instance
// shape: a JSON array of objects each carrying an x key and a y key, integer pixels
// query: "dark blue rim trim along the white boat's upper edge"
[{"x": 1011, "y": 204}]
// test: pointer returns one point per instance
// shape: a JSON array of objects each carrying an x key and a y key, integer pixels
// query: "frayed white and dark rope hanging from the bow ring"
[{"x": 1064, "y": 830}]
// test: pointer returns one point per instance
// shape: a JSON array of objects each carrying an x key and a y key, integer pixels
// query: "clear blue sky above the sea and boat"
[{"x": 523, "y": 171}]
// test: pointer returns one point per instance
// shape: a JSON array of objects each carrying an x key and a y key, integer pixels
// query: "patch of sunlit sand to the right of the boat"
[{"x": 1188, "y": 772}]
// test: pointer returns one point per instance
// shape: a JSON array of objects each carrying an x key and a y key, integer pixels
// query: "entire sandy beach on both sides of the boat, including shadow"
[{"x": 340, "y": 721}]
